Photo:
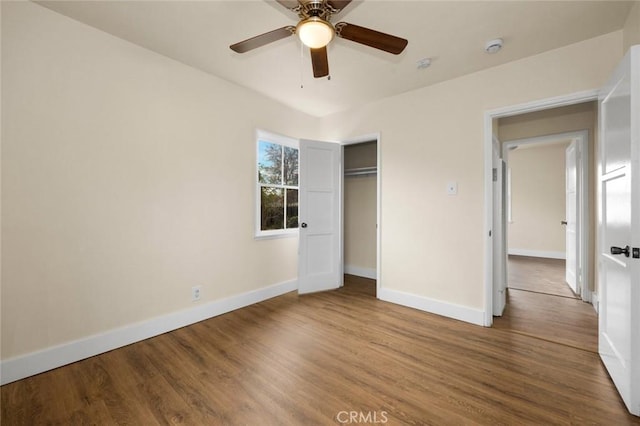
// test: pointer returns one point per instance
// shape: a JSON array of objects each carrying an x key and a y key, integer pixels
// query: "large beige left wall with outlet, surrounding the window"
[{"x": 127, "y": 179}]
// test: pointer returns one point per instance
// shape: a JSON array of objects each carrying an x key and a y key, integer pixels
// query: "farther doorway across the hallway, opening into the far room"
[{"x": 547, "y": 211}]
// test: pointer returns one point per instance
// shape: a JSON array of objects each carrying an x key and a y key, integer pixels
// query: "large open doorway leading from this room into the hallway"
[{"x": 547, "y": 218}]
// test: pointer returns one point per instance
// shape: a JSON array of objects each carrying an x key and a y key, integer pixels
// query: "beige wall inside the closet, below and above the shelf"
[{"x": 360, "y": 195}]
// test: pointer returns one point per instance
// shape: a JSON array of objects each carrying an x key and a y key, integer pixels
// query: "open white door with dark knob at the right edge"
[{"x": 619, "y": 229}]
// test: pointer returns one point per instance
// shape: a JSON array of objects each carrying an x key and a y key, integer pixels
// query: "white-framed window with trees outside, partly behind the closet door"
[{"x": 277, "y": 185}]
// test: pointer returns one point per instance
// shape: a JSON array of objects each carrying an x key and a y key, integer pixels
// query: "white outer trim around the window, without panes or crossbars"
[{"x": 262, "y": 135}]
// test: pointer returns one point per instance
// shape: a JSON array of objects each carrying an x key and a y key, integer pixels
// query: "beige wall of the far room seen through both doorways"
[{"x": 537, "y": 198}]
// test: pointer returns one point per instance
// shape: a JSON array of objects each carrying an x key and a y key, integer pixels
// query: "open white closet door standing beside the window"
[{"x": 319, "y": 262}]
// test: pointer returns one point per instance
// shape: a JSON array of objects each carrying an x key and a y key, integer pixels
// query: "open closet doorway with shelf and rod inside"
[{"x": 360, "y": 214}]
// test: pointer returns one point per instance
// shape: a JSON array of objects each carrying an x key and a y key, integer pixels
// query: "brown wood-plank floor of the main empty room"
[{"x": 315, "y": 359}]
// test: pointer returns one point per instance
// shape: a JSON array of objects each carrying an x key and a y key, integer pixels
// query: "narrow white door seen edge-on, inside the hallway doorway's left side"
[{"x": 499, "y": 232}]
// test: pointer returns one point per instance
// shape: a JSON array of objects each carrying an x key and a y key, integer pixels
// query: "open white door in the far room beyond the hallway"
[{"x": 571, "y": 215}]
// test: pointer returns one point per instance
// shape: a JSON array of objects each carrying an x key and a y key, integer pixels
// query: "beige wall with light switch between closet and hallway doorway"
[{"x": 435, "y": 135}]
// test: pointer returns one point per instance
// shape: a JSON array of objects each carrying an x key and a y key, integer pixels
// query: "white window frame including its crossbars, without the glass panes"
[{"x": 284, "y": 141}]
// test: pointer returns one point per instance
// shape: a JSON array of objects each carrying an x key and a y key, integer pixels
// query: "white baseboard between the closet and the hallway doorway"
[{"x": 450, "y": 310}]
